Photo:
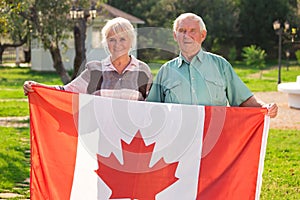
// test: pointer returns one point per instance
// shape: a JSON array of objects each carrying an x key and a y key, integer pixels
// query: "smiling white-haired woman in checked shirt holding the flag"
[{"x": 120, "y": 75}]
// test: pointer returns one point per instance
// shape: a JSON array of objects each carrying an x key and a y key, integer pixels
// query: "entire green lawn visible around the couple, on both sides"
[{"x": 281, "y": 177}]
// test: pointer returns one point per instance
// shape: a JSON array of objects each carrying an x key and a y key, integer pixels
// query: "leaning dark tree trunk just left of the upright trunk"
[{"x": 58, "y": 64}]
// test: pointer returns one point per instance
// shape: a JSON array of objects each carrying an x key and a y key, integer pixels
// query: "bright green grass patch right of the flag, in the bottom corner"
[{"x": 281, "y": 177}]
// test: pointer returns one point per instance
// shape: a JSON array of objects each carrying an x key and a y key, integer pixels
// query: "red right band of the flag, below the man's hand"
[{"x": 230, "y": 160}]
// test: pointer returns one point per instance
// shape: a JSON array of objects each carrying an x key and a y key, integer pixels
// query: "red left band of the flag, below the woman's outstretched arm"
[{"x": 53, "y": 122}]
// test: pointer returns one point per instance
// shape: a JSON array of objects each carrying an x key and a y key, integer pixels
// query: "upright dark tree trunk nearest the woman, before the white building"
[{"x": 79, "y": 41}]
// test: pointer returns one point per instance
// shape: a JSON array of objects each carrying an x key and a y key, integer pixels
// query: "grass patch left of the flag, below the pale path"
[{"x": 14, "y": 159}]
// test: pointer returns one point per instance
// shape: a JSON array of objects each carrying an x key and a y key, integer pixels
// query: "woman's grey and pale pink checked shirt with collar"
[{"x": 101, "y": 78}]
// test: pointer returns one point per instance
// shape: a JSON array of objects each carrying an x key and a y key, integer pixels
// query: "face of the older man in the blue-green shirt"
[{"x": 189, "y": 37}]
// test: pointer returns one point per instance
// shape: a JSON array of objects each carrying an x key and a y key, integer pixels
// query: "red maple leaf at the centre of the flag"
[{"x": 134, "y": 179}]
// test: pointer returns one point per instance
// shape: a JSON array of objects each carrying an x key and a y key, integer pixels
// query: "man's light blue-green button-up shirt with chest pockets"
[{"x": 208, "y": 79}]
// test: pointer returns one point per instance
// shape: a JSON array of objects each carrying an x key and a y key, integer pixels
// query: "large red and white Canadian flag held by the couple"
[{"x": 91, "y": 147}]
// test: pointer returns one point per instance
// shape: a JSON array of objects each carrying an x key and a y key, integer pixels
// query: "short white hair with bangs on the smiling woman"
[{"x": 118, "y": 25}]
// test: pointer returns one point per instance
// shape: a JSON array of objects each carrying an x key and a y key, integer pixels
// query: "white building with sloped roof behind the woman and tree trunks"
[{"x": 41, "y": 60}]
